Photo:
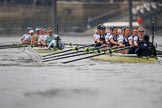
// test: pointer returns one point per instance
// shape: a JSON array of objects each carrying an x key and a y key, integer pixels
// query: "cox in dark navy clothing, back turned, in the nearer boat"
[{"x": 146, "y": 48}]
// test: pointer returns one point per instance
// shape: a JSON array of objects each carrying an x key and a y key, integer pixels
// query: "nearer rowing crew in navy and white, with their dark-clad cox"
[{"x": 138, "y": 41}]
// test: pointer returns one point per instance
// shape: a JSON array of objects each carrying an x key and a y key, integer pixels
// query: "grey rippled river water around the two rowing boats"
[{"x": 25, "y": 82}]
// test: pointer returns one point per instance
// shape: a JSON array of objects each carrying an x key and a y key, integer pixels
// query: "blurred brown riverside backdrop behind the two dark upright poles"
[{"x": 75, "y": 15}]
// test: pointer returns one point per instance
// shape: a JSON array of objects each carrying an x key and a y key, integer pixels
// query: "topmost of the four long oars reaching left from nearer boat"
[{"x": 75, "y": 48}]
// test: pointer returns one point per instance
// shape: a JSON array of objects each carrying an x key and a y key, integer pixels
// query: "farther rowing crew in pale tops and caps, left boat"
[{"x": 42, "y": 37}]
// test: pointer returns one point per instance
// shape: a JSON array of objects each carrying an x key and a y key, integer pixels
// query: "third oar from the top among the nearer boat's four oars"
[{"x": 88, "y": 51}]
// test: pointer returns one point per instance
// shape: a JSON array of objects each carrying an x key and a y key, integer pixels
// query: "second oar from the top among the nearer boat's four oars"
[{"x": 87, "y": 49}]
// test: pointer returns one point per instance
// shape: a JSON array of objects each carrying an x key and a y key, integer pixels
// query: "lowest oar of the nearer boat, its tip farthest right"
[{"x": 106, "y": 52}]
